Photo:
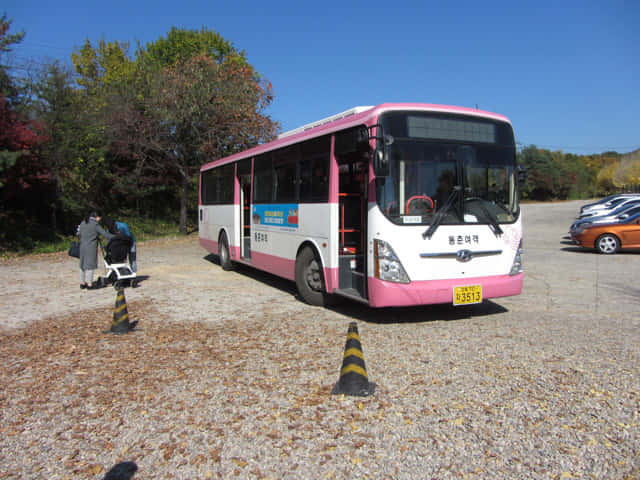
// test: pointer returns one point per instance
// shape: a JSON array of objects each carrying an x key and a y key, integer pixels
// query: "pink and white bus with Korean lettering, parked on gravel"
[{"x": 393, "y": 205}]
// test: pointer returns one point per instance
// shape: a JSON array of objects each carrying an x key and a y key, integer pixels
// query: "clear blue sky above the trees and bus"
[{"x": 562, "y": 71}]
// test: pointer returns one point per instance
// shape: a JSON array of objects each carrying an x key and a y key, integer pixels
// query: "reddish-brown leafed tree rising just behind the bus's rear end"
[{"x": 209, "y": 110}]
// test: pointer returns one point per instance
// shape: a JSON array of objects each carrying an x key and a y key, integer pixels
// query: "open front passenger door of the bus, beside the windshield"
[{"x": 352, "y": 169}]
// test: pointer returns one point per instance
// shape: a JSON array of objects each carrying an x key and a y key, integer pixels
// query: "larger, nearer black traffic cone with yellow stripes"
[{"x": 353, "y": 376}]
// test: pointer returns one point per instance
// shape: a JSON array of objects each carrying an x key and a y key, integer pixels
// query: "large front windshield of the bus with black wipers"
[{"x": 458, "y": 169}]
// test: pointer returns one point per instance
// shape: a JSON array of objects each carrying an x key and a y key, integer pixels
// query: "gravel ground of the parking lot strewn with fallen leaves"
[{"x": 216, "y": 383}]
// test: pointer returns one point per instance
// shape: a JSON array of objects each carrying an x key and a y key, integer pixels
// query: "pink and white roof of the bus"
[{"x": 347, "y": 119}]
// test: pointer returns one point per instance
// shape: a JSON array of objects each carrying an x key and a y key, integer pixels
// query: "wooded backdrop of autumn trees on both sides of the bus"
[{"x": 125, "y": 131}]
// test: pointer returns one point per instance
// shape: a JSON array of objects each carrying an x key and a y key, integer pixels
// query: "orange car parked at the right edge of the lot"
[{"x": 611, "y": 237}]
